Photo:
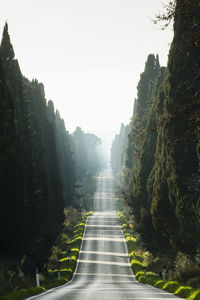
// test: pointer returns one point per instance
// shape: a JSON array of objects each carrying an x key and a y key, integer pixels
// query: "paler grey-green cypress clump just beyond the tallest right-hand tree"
[{"x": 141, "y": 148}]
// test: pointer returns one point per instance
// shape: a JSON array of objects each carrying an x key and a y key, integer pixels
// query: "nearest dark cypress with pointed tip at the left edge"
[{"x": 13, "y": 187}]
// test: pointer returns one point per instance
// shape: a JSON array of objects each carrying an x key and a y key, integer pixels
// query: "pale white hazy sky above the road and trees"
[{"x": 88, "y": 53}]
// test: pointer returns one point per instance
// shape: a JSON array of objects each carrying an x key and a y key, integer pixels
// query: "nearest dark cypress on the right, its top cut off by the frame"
[{"x": 175, "y": 205}]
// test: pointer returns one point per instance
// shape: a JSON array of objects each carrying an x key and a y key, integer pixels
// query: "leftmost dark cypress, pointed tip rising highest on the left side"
[{"x": 12, "y": 158}]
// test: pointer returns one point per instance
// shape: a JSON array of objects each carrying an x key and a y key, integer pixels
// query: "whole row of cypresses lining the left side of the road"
[{"x": 43, "y": 168}]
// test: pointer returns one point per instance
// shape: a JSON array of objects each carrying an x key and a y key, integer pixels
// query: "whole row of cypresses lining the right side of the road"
[{"x": 160, "y": 168}]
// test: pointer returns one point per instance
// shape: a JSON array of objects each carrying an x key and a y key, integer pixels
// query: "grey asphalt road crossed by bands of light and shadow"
[{"x": 103, "y": 270}]
